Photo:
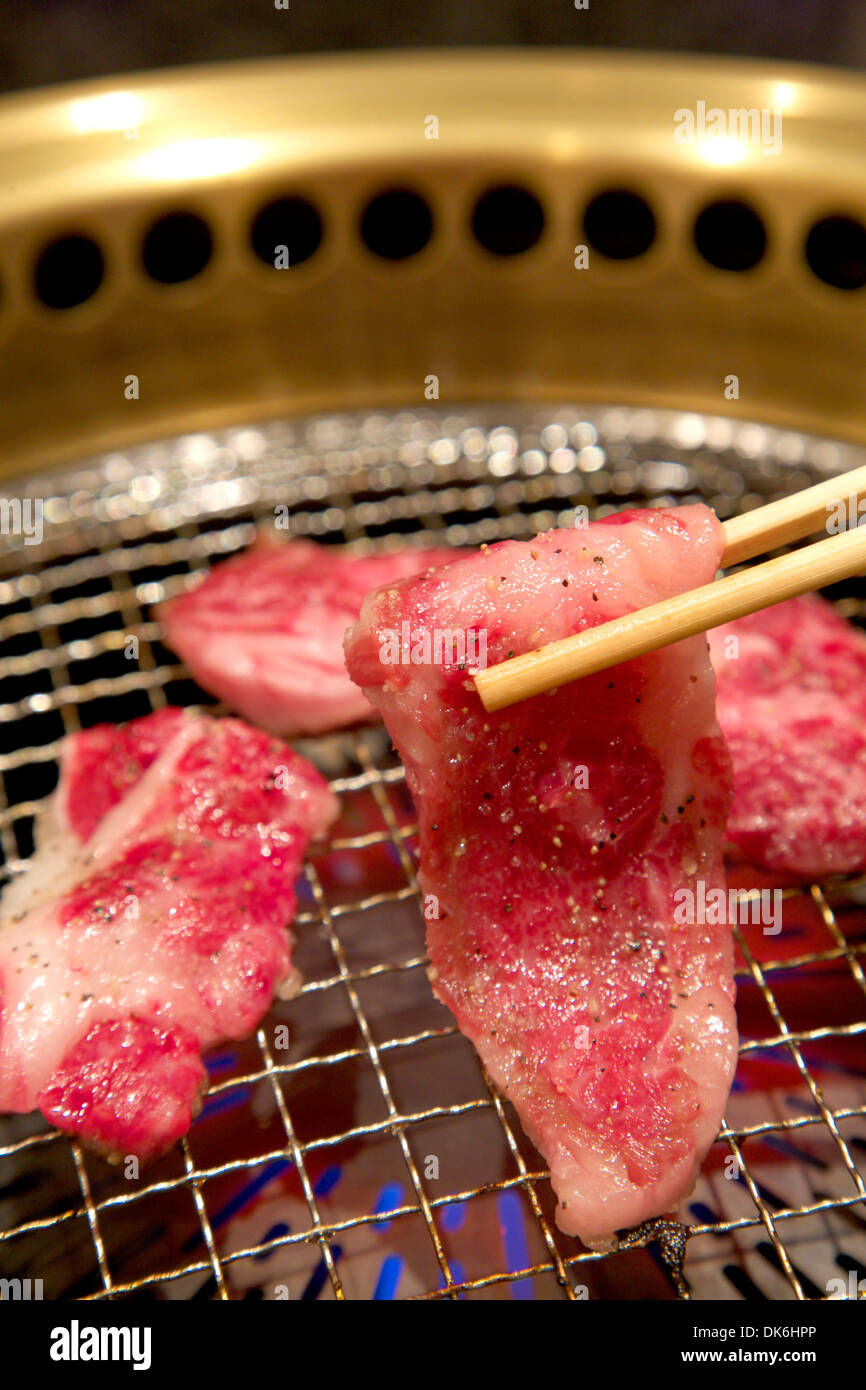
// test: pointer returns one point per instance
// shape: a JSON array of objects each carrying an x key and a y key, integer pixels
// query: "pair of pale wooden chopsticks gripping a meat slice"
[{"x": 697, "y": 611}]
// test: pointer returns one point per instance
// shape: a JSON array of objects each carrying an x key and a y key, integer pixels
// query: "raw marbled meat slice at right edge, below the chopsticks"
[{"x": 793, "y": 710}]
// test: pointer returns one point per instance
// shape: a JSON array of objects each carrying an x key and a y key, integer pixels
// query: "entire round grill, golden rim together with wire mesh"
[{"x": 432, "y": 365}]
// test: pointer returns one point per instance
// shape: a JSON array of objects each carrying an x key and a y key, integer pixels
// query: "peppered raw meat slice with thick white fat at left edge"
[{"x": 151, "y": 922}]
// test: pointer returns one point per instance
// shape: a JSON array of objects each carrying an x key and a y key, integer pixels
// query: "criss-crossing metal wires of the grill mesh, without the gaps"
[{"x": 414, "y": 471}]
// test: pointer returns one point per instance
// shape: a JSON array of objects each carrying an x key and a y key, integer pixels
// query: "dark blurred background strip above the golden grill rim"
[{"x": 56, "y": 41}]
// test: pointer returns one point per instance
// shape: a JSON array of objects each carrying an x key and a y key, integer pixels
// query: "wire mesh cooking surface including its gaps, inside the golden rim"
[{"x": 369, "y": 1156}]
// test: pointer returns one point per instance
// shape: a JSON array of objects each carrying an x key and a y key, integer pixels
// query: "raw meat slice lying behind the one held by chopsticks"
[{"x": 265, "y": 632}]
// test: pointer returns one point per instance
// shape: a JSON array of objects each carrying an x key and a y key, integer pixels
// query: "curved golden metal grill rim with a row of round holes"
[{"x": 111, "y": 159}]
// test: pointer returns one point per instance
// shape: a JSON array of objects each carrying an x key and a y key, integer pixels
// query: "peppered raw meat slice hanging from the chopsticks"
[{"x": 554, "y": 837}]
